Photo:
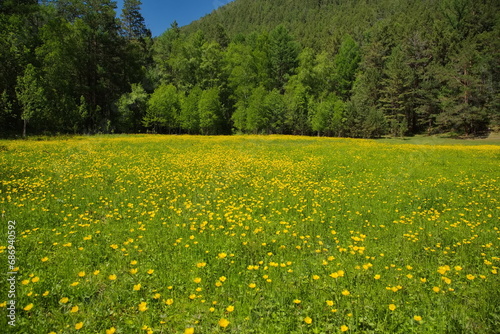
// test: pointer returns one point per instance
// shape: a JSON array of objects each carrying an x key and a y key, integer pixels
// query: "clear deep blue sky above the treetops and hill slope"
[{"x": 160, "y": 14}]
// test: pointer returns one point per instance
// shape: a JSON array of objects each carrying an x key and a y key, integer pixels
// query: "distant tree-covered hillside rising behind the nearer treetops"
[{"x": 314, "y": 23}]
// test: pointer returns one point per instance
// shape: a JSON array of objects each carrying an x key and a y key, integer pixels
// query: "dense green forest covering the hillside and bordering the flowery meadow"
[{"x": 357, "y": 68}]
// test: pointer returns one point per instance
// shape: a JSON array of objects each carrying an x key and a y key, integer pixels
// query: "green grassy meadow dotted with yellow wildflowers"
[{"x": 249, "y": 234}]
